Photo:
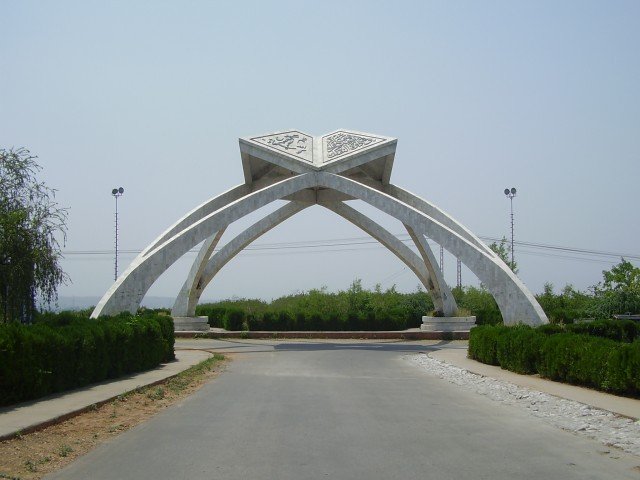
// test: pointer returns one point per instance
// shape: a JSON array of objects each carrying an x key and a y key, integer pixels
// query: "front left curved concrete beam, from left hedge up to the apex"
[{"x": 129, "y": 290}]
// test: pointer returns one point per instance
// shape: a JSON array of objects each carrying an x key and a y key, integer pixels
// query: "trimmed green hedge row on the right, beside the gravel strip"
[{"x": 575, "y": 358}]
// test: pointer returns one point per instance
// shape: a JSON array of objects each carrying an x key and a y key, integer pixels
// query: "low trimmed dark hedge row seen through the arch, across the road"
[{"x": 237, "y": 319}]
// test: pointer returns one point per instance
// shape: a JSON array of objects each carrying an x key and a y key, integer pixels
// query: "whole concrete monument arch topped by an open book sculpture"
[{"x": 328, "y": 171}]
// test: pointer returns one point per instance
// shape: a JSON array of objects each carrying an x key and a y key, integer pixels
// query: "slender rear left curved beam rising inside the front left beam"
[{"x": 185, "y": 304}]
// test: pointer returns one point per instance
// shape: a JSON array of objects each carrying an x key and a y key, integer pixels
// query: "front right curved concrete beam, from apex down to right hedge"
[{"x": 515, "y": 301}]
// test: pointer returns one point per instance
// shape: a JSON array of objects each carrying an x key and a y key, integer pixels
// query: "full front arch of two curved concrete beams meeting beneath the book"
[{"x": 514, "y": 300}]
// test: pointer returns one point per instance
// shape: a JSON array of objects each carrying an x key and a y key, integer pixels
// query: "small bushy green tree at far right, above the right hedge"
[{"x": 619, "y": 292}]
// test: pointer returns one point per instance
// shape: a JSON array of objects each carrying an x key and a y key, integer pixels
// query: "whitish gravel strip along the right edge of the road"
[{"x": 606, "y": 427}]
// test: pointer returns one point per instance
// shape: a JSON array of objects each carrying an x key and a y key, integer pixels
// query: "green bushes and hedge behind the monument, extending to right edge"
[{"x": 358, "y": 308}]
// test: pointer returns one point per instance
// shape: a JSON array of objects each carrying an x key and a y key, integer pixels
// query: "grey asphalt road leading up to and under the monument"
[{"x": 342, "y": 410}]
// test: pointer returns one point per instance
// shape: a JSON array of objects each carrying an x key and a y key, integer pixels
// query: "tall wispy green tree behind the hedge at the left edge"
[{"x": 30, "y": 221}]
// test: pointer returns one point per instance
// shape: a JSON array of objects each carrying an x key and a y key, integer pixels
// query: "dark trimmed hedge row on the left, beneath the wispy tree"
[{"x": 63, "y": 352}]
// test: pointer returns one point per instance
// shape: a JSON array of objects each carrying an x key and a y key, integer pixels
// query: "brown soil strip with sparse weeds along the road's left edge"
[{"x": 34, "y": 455}]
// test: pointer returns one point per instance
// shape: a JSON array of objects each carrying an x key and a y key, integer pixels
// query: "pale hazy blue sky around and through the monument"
[{"x": 543, "y": 96}]
